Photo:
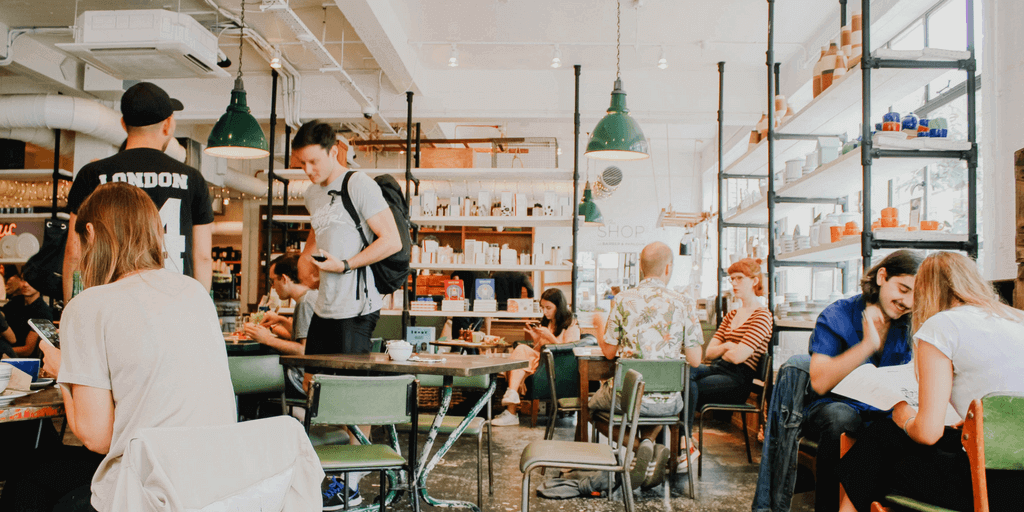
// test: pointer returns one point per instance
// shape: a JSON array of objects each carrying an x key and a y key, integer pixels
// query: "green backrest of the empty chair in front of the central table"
[{"x": 362, "y": 401}]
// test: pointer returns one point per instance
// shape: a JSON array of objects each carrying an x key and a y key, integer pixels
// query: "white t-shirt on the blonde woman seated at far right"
[{"x": 988, "y": 353}]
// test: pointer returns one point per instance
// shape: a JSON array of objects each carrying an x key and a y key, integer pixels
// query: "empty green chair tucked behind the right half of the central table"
[{"x": 476, "y": 428}]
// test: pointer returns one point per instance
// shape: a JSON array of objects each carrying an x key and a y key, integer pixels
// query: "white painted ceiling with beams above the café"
[{"x": 505, "y": 49}]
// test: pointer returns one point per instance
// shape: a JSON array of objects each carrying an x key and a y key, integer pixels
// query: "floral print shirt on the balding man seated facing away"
[{"x": 652, "y": 322}]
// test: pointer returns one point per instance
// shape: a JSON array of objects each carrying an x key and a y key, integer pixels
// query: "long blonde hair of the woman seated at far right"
[{"x": 948, "y": 280}]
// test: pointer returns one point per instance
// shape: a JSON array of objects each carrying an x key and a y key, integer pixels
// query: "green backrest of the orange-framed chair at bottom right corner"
[{"x": 1004, "y": 426}]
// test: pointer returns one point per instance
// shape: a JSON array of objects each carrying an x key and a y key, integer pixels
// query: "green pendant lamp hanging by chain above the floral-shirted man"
[{"x": 618, "y": 137}]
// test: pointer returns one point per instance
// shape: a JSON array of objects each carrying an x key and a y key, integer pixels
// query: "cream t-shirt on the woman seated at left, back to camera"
[{"x": 154, "y": 340}]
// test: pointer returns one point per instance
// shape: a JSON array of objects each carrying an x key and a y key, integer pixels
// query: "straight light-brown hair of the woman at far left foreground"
[{"x": 129, "y": 235}]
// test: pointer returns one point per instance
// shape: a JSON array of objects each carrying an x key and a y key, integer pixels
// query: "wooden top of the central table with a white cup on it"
[{"x": 454, "y": 365}]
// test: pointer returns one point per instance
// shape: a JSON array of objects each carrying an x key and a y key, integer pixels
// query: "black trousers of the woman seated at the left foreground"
[{"x": 59, "y": 478}]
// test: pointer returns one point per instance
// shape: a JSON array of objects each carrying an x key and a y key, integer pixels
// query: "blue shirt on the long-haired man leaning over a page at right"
[{"x": 841, "y": 326}]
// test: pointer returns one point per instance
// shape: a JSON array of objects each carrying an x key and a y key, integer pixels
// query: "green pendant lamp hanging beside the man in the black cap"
[{"x": 238, "y": 135}]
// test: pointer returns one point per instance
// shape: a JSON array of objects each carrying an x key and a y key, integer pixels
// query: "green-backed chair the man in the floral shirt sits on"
[{"x": 661, "y": 376}]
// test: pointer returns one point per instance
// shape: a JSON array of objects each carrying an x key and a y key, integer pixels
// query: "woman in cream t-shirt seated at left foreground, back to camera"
[{"x": 142, "y": 349}]
